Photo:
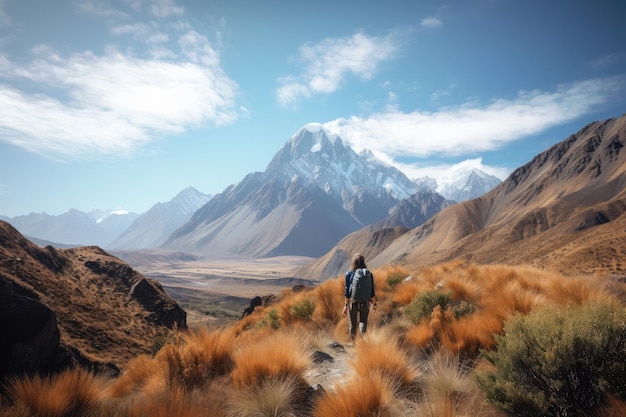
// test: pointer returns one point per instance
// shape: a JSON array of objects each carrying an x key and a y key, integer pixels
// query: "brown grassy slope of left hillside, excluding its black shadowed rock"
[{"x": 105, "y": 311}]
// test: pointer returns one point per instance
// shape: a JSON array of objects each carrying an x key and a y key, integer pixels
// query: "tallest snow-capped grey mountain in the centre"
[{"x": 314, "y": 191}]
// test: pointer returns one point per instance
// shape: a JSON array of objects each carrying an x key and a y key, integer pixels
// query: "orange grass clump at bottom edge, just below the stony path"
[{"x": 370, "y": 395}]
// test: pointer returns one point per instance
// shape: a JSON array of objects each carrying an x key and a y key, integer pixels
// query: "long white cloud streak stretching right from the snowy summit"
[{"x": 473, "y": 128}]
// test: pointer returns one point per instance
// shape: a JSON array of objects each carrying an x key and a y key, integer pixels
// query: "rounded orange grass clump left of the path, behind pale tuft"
[{"x": 279, "y": 355}]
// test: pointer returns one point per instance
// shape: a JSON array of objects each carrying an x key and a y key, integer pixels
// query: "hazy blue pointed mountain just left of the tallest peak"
[{"x": 153, "y": 227}]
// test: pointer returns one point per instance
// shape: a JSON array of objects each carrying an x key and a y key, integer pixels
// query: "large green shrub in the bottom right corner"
[{"x": 558, "y": 361}]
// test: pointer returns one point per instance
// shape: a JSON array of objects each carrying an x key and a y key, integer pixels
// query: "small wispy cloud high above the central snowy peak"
[{"x": 328, "y": 63}]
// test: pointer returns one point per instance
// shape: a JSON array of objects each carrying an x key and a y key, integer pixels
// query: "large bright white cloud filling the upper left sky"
[{"x": 111, "y": 104}]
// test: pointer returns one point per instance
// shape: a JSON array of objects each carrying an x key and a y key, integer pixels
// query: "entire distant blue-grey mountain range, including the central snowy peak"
[{"x": 315, "y": 191}]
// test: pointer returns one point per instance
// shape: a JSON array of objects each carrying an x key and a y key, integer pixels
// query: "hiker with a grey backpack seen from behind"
[{"x": 358, "y": 295}]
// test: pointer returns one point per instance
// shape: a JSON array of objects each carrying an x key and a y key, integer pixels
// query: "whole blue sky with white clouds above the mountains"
[{"x": 121, "y": 104}]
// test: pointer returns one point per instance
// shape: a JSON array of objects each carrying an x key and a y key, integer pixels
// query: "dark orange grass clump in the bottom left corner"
[{"x": 71, "y": 393}]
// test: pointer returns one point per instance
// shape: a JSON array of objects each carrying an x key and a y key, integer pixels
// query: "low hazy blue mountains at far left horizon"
[{"x": 75, "y": 227}]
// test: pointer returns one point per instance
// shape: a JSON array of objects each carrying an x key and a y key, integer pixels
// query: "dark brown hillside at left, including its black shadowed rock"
[{"x": 62, "y": 307}]
